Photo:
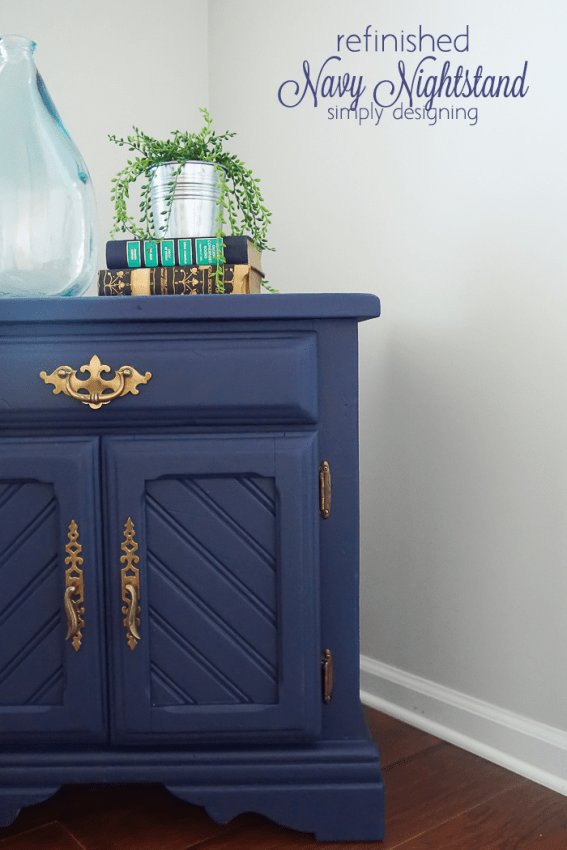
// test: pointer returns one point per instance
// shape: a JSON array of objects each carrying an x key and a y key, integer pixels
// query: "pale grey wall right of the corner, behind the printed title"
[{"x": 460, "y": 230}]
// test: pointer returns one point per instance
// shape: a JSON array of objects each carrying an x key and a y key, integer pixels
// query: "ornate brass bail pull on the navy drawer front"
[{"x": 92, "y": 391}]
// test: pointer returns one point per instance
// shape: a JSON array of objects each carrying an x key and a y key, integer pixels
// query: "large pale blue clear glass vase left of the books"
[{"x": 48, "y": 239}]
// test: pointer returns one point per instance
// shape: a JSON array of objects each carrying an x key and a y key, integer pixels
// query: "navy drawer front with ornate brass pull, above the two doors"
[{"x": 195, "y": 378}]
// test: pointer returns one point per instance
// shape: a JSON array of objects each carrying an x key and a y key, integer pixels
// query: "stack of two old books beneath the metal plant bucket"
[{"x": 181, "y": 266}]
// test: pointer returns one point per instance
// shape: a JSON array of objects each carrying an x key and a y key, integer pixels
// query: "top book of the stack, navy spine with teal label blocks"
[{"x": 200, "y": 251}]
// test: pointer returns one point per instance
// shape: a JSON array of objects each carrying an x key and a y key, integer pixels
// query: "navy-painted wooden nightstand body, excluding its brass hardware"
[{"x": 243, "y": 583}]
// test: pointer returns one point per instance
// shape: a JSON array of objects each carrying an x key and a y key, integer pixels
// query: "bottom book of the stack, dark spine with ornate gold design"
[{"x": 179, "y": 280}]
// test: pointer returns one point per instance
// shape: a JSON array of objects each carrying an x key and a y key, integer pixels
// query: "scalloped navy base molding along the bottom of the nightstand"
[{"x": 332, "y": 789}]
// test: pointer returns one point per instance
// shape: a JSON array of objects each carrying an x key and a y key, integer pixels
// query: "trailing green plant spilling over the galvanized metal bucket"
[{"x": 239, "y": 197}]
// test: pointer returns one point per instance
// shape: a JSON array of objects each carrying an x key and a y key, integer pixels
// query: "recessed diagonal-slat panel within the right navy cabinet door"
[{"x": 212, "y": 590}]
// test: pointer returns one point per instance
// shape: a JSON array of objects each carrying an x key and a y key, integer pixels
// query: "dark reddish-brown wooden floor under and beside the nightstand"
[{"x": 438, "y": 797}]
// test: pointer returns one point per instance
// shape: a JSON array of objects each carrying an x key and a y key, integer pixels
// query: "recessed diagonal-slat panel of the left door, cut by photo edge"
[{"x": 31, "y": 631}]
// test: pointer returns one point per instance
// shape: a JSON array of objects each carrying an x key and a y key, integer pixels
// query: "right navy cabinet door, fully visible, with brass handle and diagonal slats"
[{"x": 227, "y": 641}]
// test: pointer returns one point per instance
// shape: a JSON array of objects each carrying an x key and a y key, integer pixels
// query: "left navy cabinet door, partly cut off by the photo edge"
[{"x": 50, "y": 688}]
